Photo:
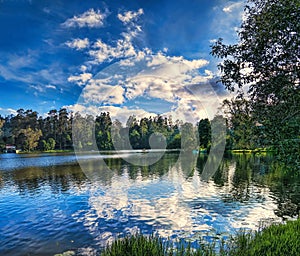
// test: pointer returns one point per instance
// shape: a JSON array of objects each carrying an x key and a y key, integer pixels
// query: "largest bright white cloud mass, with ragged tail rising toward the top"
[{"x": 142, "y": 73}]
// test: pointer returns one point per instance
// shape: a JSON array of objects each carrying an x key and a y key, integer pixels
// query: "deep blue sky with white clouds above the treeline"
[{"x": 126, "y": 57}]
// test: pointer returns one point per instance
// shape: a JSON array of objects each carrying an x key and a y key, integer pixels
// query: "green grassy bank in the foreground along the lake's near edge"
[{"x": 278, "y": 239}]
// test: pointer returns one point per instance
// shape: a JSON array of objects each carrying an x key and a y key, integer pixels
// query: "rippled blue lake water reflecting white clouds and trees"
[{"x": 50, "y": 204}]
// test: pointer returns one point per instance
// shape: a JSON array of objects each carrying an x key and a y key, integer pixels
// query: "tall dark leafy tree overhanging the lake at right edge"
[{"x": 266, "y": 61}]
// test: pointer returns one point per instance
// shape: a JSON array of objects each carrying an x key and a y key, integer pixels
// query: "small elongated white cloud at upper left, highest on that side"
[{"x": 90, "y": 18}]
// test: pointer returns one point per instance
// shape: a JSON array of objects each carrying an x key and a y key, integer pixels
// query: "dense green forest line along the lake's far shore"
[{"x": 28, "y": 131}]
